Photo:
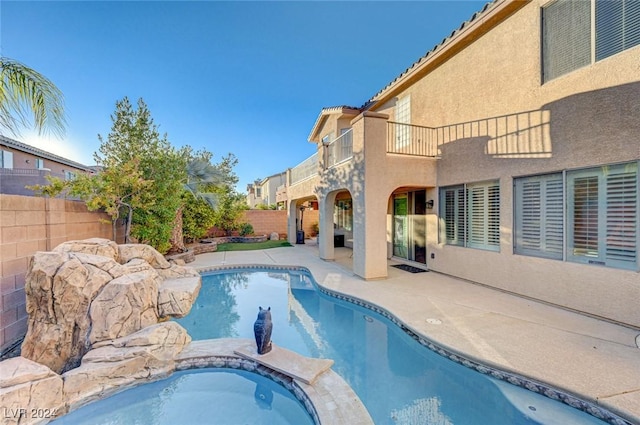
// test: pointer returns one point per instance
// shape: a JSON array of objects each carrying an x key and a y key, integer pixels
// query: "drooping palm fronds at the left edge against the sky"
[{"x": 23, "y": 93}]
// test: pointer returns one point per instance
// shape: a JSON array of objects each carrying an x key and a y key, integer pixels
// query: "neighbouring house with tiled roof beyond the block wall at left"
[{"x": 25, "y": 165}]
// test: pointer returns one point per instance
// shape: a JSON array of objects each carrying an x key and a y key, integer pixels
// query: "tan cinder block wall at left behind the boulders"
[{"x": 29, "y": 224}]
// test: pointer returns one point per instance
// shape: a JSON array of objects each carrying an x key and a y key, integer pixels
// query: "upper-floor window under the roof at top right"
[{"x": 568, "y": 30}]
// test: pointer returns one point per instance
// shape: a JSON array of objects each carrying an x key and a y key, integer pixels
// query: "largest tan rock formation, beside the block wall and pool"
[{"x": 79, "y": 295}]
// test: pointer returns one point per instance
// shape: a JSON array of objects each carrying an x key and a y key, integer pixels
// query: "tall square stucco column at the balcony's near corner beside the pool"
[{"x": 370, "y": 198}]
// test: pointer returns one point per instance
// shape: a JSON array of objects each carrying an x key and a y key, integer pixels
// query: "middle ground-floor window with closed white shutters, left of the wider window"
[{"x": 539, "y": 215}]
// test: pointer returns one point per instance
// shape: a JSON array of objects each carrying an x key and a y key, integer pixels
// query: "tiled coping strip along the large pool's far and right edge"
[{"x": 472, "y": 362}]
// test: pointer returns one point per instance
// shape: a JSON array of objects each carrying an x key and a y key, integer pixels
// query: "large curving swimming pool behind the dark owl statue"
[{"x": 397, "y": 379}]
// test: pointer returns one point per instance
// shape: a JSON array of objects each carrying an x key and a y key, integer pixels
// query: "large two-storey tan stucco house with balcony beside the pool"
[{"x": 508, "y": 155}]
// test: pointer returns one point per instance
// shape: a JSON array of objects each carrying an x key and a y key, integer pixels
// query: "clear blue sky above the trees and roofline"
[{"x": 244, "y": 77}]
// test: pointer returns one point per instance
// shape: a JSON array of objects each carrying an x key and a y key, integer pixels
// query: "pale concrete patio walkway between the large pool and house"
[{"x": 592, "y": 359}]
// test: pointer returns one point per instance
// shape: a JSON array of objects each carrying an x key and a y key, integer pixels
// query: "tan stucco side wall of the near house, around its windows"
[{"x": 510, "y": 125}]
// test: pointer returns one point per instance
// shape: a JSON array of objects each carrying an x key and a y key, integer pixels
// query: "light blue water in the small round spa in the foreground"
[{"x": 203, "y": 396}]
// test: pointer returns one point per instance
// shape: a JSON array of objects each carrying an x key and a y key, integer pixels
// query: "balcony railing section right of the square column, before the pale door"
[{"x": 409, "y": 139}]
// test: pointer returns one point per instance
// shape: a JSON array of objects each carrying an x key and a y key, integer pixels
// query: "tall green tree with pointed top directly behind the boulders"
[{"x": 134, "y": 136}]
